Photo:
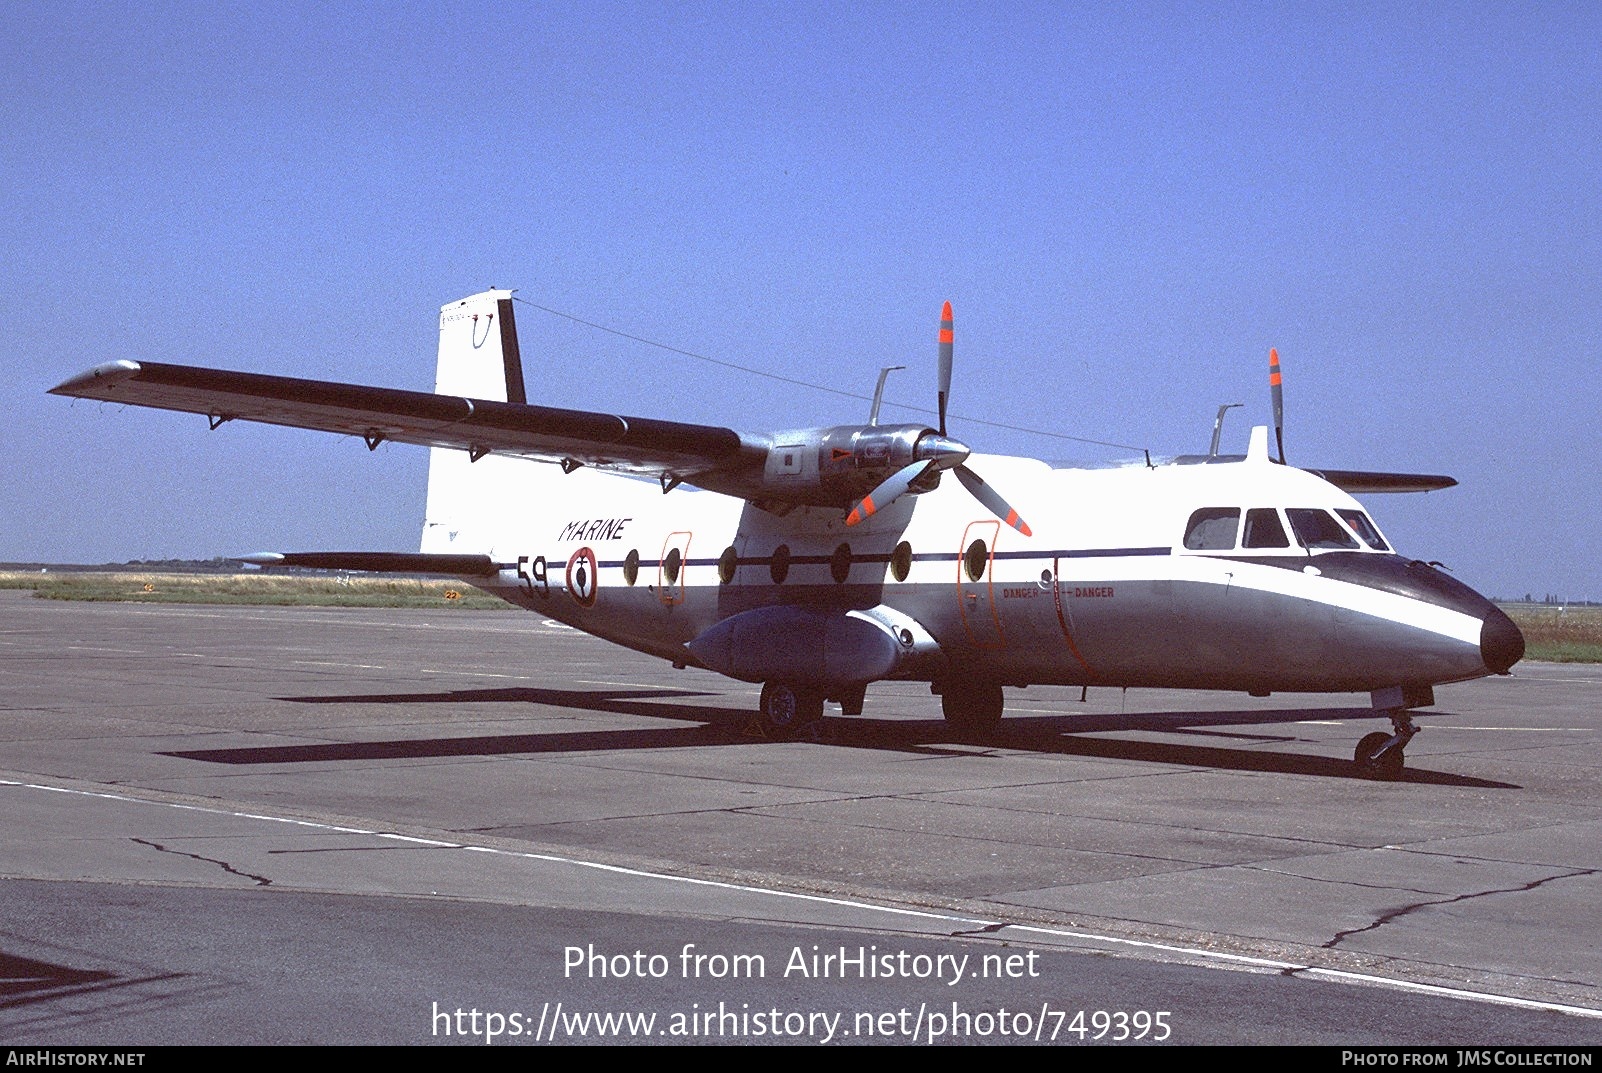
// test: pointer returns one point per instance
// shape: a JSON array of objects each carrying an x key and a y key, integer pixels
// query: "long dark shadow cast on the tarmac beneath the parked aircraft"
[{"x": 738, "y": 726}]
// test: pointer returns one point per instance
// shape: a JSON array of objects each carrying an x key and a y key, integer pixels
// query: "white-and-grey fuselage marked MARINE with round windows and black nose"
[{"x": 1105, "y": 593}]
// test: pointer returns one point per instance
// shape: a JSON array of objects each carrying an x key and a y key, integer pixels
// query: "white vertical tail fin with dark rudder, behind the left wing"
[{"x": 478, "y": 360}]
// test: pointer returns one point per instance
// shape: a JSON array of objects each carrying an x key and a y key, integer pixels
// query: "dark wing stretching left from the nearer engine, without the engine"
[{"x": 640, "y": 446}]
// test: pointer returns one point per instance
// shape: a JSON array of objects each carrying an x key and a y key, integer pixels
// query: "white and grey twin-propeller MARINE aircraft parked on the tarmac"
[{"x": 819, "y": 561}]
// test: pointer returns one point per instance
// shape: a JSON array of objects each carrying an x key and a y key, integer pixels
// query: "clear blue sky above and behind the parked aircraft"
[{"x": 1127, "y": 206}]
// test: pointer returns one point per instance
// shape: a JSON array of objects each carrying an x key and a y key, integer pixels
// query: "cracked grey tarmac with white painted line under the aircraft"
[{"x": 182, "y": 762}]
